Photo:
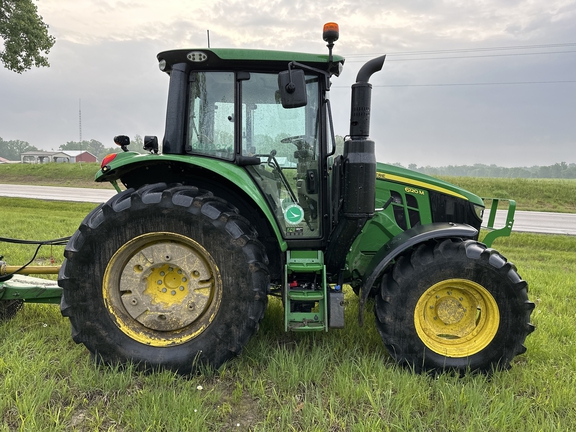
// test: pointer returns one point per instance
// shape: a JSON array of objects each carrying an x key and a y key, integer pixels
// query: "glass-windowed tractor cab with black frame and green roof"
[{"x": 237, "y": 109}]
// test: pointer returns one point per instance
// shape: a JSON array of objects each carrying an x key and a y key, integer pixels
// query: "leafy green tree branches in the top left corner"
[{"x": 24, "y": 35}]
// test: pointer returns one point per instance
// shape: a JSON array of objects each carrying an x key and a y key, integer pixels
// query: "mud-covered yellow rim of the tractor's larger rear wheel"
[{"x": 162, "y": 289}]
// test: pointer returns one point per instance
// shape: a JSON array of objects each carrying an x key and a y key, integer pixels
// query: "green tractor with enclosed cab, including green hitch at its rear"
[{"x": 248, "y": 199}]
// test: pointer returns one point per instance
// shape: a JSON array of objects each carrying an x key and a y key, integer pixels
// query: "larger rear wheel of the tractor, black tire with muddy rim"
[{"x": 164, "y": 277}]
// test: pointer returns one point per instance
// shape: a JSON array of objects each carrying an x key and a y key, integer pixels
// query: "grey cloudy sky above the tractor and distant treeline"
[{"x": 465, "y": 81}]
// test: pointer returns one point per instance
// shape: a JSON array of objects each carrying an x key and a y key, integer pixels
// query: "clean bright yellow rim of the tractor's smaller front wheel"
[{"x": 456, "y": 318}]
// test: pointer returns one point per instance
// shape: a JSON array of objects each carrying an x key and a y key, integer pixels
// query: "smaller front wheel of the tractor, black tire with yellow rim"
[{"x": 453, "y": 305}]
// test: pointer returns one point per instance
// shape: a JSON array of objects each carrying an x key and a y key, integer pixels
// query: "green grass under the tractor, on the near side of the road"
[{"x": 342, "y": 380}]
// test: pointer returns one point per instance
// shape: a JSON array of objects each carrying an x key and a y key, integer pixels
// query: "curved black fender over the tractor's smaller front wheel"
[{"x": 403, "y": 241}]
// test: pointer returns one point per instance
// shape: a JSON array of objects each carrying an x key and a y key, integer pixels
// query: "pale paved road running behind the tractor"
[{"x": 538, "y": 222}]
